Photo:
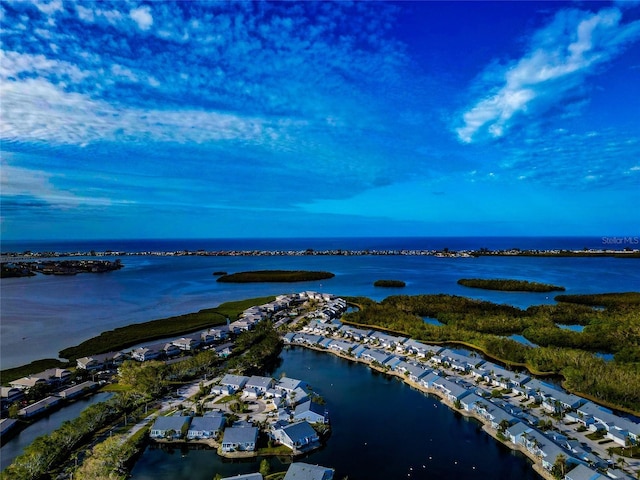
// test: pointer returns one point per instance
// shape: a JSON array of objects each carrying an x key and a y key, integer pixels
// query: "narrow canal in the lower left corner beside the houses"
[{"x": 44, "y": 426}]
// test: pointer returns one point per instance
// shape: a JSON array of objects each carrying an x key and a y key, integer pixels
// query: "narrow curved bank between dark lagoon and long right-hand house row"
[{"x": 536, "y": 464}]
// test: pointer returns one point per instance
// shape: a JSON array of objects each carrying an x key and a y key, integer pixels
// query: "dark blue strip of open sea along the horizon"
[{"x": 346, "y": 243}]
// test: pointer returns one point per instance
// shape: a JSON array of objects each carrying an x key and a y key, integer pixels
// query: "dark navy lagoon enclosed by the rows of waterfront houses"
[{"x": 382, "y": 429}]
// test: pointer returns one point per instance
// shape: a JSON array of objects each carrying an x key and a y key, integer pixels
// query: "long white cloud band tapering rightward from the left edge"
[{"x": 36, "y": 110}]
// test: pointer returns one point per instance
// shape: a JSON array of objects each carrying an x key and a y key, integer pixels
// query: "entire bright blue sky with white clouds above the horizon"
[{"x": 300, "y": 119}]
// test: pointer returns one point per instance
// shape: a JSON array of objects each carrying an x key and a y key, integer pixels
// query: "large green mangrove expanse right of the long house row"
[{"x": 483, "y": 326}]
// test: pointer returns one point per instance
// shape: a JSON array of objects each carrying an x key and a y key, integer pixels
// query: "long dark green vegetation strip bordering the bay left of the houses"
[{"x": 124, "y": 337}]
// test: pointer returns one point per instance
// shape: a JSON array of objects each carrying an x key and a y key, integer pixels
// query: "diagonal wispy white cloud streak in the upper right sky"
[{"x": 555, "y": 68}]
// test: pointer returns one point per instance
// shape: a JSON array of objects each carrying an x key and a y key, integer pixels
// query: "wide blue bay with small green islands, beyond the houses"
[{"x": 41, "y": 315}]
